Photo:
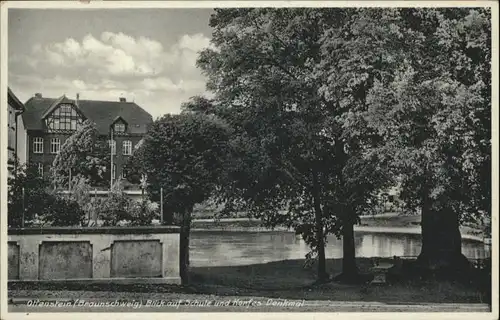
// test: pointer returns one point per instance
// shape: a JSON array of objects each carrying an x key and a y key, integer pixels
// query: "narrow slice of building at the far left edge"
[{"x": 15, "y": 147}]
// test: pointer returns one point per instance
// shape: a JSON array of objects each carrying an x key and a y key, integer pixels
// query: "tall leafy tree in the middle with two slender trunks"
[{"x": 293, "y": 147}]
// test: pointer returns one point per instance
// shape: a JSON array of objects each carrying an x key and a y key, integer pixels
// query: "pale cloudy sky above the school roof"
[{"x": 145, "y": 55}]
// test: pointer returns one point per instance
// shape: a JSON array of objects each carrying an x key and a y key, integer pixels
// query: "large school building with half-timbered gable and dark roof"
[{"x": 50, "y": 121}]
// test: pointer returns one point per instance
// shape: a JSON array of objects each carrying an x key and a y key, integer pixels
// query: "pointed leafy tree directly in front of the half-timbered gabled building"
[{"x": 85, "y": 153}]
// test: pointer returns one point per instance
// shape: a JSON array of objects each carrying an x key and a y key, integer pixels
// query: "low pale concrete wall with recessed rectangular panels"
[{"x": 111, "y": 254}]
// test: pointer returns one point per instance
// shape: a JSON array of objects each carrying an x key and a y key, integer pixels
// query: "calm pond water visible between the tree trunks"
[{"x": 223, "y": 248}]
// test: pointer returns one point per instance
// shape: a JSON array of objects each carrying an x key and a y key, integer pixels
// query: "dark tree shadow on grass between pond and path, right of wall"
[{"x": 288, "y": 279}]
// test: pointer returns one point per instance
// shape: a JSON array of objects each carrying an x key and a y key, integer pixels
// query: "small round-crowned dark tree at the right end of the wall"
[{"x": 185, "y": 155}]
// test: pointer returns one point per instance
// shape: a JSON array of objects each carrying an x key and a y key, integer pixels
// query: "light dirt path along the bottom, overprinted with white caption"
[{"x": 88, "y": 301}]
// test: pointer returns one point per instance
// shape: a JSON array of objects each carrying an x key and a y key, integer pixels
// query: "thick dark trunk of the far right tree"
[{"x": 441, "y": 242}]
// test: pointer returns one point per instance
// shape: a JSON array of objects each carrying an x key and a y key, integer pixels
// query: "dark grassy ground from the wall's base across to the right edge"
[{"x": 283, "y": 279}]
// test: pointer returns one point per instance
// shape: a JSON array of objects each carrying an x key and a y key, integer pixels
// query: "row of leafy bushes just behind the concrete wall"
[{"x": 76, "y": 209}]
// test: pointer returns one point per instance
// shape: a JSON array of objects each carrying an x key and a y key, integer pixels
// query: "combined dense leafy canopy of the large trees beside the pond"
[{"x": 328, "y": 106}]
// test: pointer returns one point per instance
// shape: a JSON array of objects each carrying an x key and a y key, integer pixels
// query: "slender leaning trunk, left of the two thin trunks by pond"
[{"x": 320, "y": 236}]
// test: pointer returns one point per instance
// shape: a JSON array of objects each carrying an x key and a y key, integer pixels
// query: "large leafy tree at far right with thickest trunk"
[{"x": 432, "y": 107}]
